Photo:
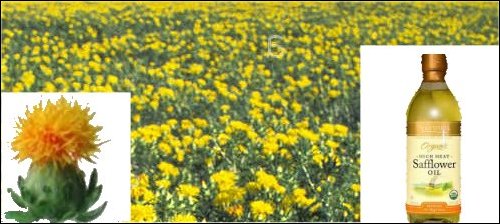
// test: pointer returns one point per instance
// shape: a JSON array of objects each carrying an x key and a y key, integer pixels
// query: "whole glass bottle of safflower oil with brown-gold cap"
[{"x": 433, "y": 148}]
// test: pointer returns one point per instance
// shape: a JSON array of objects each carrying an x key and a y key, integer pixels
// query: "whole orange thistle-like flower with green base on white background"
[{"x": 55, "y": 138}]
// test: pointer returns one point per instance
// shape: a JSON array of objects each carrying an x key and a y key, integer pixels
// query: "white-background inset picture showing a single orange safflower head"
[{"x": 65, "y": 157}]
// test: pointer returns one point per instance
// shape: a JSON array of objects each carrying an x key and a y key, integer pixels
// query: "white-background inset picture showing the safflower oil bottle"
[{"x": 429, "y": 132}]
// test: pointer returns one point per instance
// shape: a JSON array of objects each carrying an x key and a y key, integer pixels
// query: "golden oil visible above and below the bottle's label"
[{"x": 433, "y": 102}]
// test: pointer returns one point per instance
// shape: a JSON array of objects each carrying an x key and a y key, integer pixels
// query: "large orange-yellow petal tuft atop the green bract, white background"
[{"x": 60, "y": 132}]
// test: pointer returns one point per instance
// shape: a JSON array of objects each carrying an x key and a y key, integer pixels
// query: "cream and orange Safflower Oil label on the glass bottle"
[{"x": 433, "y": 168}]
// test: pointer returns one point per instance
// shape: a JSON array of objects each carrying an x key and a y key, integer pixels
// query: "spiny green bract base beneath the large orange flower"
[{"x": 56, "y": 193}]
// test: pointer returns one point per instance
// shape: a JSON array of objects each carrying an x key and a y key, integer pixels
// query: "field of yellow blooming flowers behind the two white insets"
[{"x": 226, "y": 124}]
